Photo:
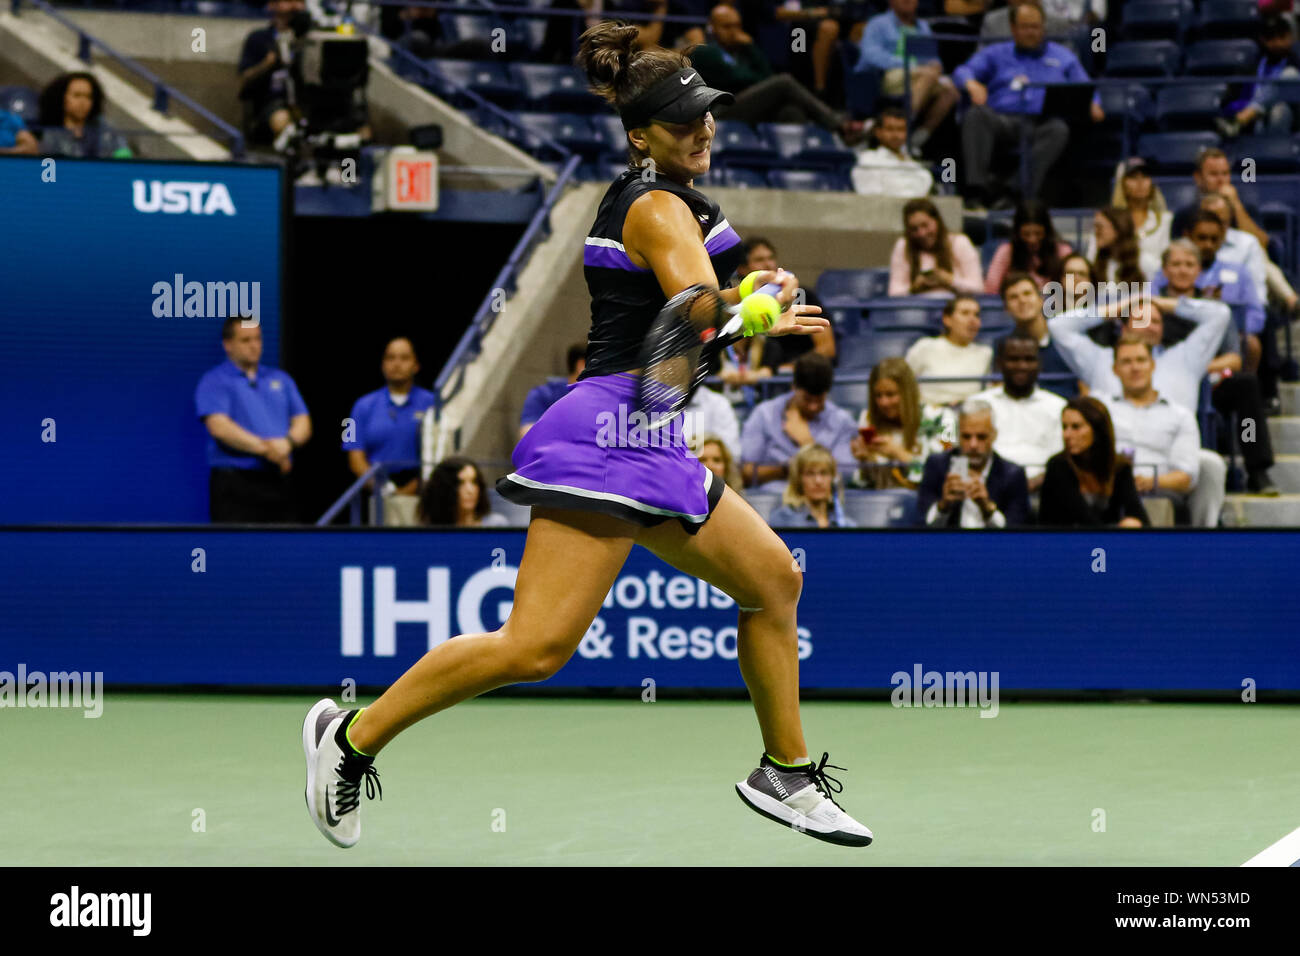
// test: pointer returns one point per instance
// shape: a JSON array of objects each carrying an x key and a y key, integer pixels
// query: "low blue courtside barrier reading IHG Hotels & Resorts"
[{"x": 1173, "y": 611}]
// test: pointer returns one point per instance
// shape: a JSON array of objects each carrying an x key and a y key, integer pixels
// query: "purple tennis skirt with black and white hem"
[{"x": 592, "y": 452}]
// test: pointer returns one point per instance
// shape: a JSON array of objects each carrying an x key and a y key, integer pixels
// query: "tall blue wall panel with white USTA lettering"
[{"x": 86, "y": 249}]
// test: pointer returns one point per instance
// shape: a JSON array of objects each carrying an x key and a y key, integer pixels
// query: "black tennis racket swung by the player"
[{"x": 692, "y": 327}]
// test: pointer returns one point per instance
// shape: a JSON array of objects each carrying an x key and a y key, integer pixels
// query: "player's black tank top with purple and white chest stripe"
[{"x": 626, "y": 299}]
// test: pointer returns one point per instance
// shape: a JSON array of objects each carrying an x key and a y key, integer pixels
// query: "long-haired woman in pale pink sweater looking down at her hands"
[{"x": 930, "y": 261}]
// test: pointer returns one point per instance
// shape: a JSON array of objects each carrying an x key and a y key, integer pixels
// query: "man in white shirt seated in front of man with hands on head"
[{"x": 1159, "y": 435}]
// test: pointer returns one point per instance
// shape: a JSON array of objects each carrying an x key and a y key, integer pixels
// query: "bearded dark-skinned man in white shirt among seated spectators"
[{"x": 1029, "y": 418}]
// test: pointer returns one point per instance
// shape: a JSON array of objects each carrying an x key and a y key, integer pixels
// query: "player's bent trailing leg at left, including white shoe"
[{"x": 571, "y": 560}]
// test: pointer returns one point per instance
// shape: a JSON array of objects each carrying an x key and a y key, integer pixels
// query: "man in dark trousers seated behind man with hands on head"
[{"x": 1234, "y": 392}]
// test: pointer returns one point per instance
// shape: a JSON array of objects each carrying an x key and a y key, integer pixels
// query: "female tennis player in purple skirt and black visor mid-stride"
[{"x": 593, "y": 500}]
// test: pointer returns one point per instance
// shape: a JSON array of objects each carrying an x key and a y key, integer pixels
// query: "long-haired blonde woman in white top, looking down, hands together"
[{"x": 905, "y": 431}]
